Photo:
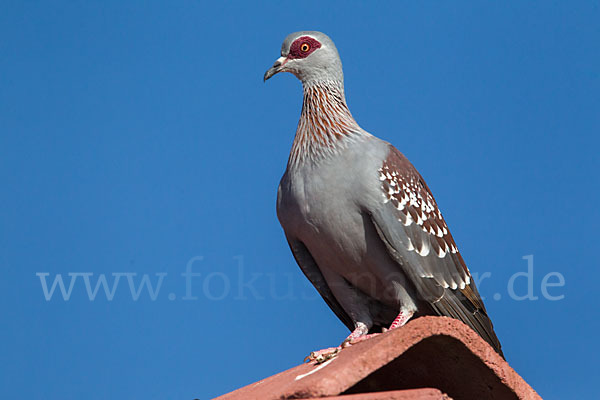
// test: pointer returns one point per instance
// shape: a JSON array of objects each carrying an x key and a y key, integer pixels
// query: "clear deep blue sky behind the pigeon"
[{"x": 139, "y": 138}]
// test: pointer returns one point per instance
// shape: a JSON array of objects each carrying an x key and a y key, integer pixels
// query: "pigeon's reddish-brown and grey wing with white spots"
[{"x": 410, "y": 224}]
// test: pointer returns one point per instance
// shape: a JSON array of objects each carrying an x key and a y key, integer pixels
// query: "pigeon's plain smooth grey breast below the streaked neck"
[{"x": 323, "y": 207}]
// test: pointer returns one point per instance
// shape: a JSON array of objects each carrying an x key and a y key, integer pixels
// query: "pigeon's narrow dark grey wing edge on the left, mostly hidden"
[{"x": 311, "y": 270}]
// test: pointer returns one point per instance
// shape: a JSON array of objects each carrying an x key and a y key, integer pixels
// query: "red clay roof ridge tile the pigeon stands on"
[{"x": 439, "y": 356}]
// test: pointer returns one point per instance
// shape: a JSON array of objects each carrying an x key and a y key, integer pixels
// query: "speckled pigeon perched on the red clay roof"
[{"x": 360, "y": 220}]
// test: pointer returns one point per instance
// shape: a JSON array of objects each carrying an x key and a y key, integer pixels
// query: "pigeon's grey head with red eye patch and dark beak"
[{"x": 309, "y": 55}]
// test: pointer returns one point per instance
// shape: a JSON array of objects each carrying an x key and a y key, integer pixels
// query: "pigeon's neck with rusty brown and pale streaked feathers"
[{"x": 326, "y": 125}]
